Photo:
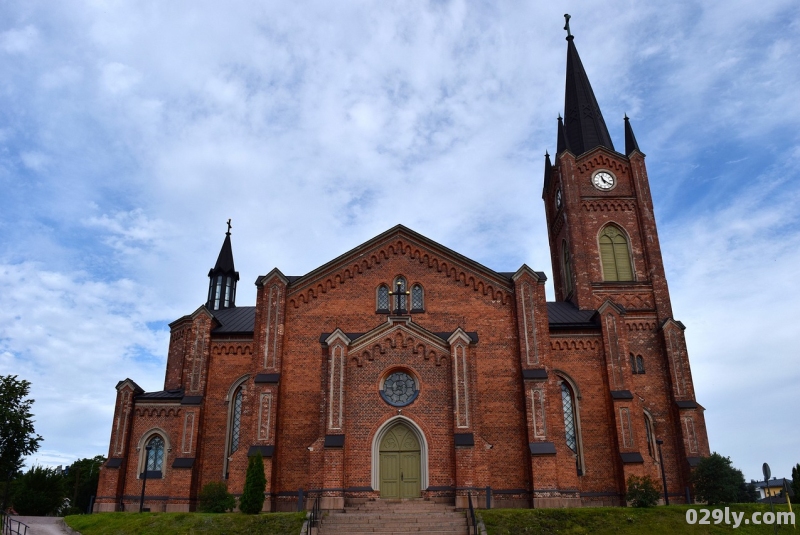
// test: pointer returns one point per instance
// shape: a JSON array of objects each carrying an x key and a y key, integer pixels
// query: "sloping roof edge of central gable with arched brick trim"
[{"x": 391, "y": 235}]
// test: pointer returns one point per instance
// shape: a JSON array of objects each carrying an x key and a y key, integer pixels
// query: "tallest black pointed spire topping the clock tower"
[{"x": 584, "y": 124}]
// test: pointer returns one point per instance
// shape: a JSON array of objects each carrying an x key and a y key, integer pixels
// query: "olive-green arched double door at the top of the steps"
[{"x": 400, "y": 463}]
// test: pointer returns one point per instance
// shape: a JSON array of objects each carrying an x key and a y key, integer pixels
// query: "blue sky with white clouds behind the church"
[{"x": 131, "y": 131}]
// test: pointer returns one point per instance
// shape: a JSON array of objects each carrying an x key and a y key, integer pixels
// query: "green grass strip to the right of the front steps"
[{"x": 622, "y": 521}]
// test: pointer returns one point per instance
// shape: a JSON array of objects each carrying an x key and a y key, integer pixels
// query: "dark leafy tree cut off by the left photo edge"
[{"x": 17, "y": 436}]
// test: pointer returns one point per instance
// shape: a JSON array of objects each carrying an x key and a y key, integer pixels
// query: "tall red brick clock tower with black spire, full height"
[{"x": 606, "y": 258}]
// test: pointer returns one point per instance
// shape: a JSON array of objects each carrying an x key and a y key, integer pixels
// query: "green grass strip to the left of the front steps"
[{"x": 186, "y": 523}]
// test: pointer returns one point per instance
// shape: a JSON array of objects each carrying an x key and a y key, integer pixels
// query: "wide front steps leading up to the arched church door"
[{"x": 393, "y": 517}]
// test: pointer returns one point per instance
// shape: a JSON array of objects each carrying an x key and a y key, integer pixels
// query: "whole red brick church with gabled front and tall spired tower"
[{"x": 403, "y": 369}]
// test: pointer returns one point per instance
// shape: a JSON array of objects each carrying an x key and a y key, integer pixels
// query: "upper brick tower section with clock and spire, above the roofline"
[{"x": 603, "y": 239}]
